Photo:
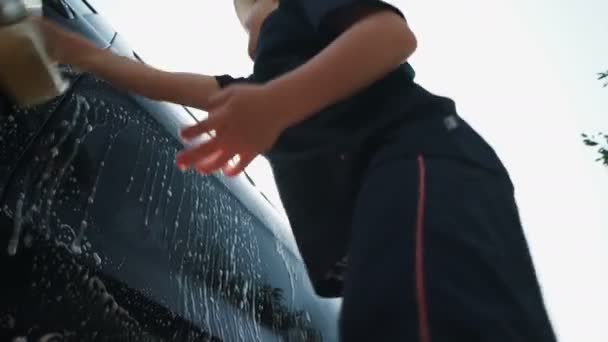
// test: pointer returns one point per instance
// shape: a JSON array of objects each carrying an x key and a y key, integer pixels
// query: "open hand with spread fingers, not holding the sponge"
[{"x": 246, "y": 121}]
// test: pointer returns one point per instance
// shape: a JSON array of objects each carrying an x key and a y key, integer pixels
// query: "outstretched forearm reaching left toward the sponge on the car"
[{"x": 187, "y": 89}]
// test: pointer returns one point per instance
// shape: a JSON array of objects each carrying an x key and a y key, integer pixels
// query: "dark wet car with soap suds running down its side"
[{"x": 103, "y": 239}]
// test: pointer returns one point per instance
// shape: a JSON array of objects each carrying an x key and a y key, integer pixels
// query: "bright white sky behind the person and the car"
[{"x": 522, "y": 72}]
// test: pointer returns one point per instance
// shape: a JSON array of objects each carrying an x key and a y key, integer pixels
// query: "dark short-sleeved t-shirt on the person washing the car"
[{"x": 318, "y": 163}]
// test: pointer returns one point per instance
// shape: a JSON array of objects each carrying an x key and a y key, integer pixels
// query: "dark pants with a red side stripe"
[{"x": 438, "y": 254}]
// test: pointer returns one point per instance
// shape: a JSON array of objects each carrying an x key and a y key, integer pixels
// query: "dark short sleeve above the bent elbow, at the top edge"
[{"x": 319, "y": 11}]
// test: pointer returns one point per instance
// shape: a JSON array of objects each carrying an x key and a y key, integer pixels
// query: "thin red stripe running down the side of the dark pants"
[{"x": 423, "y": 322}]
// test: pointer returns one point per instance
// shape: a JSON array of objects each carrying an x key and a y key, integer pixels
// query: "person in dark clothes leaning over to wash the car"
[{"x": 378, "y": 176}]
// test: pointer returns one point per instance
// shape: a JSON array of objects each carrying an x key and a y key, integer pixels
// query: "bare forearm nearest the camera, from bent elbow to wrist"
[{"x": 364, "y": 53}]
